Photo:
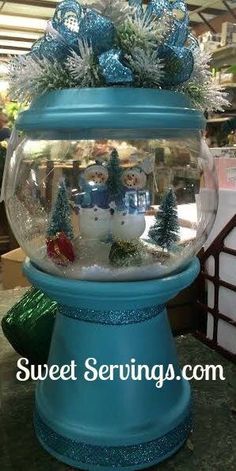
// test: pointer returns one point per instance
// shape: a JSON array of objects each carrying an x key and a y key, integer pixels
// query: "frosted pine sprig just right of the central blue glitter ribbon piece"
[{"x": 148, "y": 69}]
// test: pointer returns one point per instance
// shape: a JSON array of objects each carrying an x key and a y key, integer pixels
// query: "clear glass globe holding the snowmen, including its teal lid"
[{"x": 111, "y": 195}]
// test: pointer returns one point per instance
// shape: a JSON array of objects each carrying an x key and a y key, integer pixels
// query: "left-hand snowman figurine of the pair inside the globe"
[{"x": 93, "y": 204}]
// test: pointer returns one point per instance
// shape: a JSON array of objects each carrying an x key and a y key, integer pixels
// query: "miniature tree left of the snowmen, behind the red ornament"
[{"x": 60, "y": 220}]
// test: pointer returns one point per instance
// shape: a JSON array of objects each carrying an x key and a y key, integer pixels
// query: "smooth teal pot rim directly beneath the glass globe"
[{"x": 117, "y": 294}]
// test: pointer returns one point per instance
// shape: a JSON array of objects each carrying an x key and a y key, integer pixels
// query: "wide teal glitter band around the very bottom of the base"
[{"x": 117, "y": 456}]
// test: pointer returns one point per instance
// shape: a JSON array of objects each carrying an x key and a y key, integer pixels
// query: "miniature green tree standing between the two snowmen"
[{"x": 114, "y": 182}]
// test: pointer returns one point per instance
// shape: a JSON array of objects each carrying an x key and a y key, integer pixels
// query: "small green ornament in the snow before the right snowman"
[{"x": 124, "y": 253}]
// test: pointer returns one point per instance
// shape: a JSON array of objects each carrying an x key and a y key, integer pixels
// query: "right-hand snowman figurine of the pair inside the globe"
[{"x": 129, "y": 223}]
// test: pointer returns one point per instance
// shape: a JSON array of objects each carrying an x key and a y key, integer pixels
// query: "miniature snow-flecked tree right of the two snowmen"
[{"x": 165, "y": 230}]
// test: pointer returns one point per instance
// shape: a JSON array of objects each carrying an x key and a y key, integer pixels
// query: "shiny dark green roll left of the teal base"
[{"x": 29, "y": 324}]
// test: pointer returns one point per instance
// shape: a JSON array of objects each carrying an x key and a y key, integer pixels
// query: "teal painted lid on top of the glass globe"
[{"x": 91, "y": 113}]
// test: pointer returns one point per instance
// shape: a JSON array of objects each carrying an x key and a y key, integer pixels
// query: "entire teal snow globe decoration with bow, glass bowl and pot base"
[{"x": 111, "y": 191}]
